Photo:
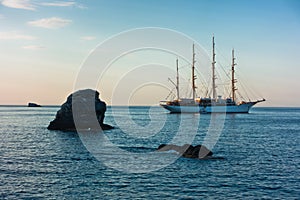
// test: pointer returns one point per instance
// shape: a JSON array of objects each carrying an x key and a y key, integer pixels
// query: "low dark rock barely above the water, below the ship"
[{"x": 187, "y": 150}]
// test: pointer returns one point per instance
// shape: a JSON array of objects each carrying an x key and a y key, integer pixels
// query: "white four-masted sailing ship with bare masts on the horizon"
[{"x": 214, "y": 104}]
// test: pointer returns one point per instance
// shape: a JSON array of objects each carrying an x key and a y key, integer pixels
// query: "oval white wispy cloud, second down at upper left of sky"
[{"x": 50, "y": 23}]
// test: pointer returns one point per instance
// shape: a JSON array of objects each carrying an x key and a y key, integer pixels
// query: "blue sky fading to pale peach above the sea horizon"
[{"x": 44, "y": 45}]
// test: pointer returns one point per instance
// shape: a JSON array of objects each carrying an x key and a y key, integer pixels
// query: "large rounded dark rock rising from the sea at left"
[{"x": 85, "y": 108}]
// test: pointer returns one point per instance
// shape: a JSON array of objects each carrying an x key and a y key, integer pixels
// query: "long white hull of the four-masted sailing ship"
[{"x": 242, "y": 108}]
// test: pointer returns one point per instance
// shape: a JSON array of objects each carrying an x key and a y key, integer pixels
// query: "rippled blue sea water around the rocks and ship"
[{"x": 260, "y": 151}]
